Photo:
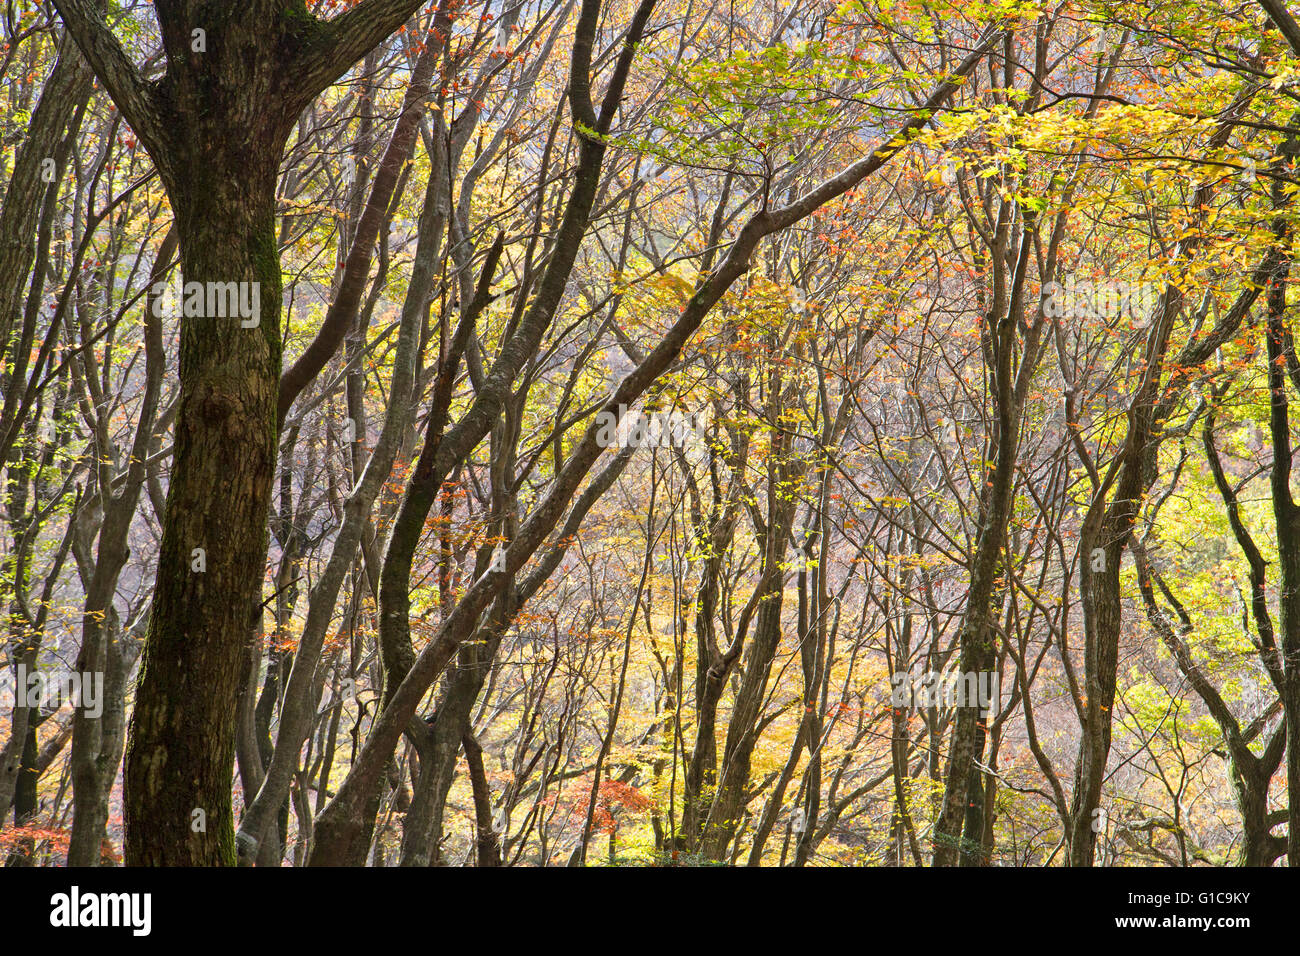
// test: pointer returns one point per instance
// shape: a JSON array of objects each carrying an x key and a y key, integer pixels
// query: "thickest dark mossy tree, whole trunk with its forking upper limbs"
[{"x": 216, "y": 124}]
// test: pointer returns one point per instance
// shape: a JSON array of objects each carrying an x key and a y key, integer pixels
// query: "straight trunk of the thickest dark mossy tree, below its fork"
[{"x": 206, "y": 602}]
